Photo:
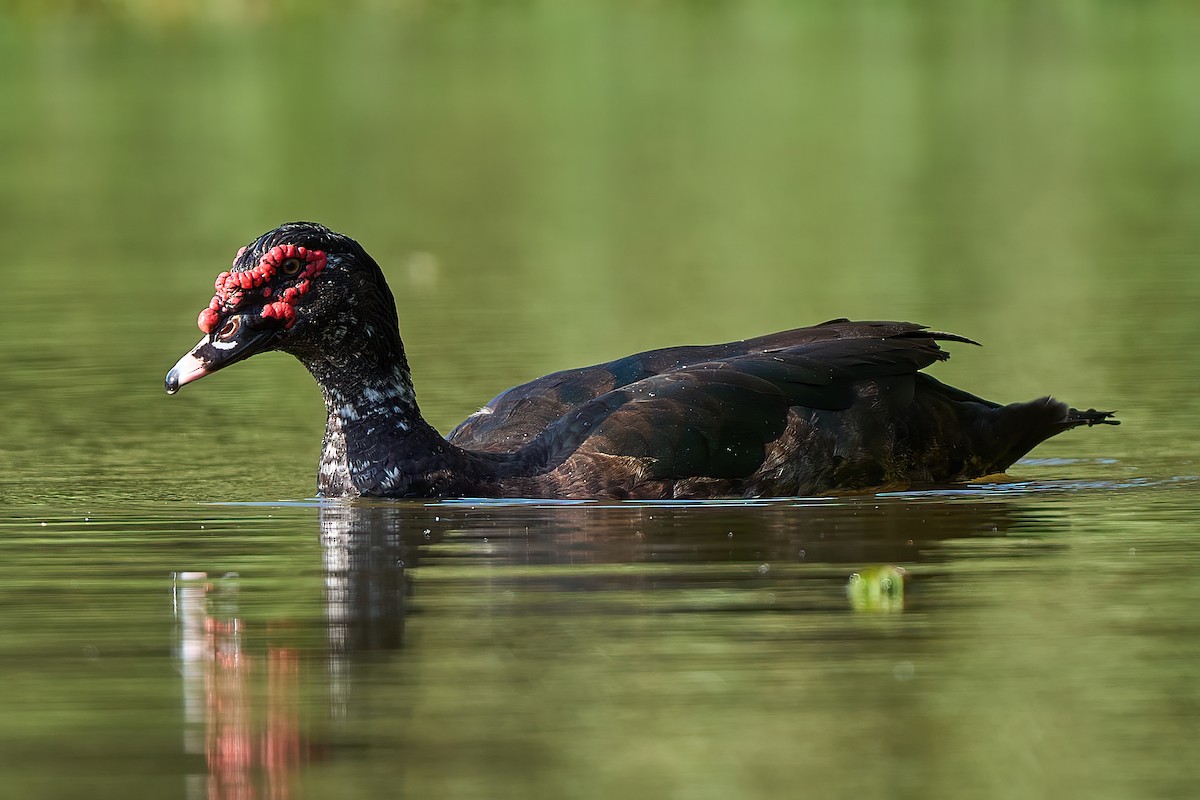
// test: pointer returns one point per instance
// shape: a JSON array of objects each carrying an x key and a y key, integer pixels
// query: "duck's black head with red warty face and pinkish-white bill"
[{"x": 301, "y": 288}]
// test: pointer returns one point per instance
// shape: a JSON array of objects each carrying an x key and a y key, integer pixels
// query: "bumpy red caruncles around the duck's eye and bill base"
[{"x": 249, "y": 287}]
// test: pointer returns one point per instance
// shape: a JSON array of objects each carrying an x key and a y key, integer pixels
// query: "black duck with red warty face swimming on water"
[{"x": 842, "y": 407}]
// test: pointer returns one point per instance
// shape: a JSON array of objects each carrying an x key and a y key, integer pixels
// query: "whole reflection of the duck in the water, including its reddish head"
[{"x": 244, "y": 700}]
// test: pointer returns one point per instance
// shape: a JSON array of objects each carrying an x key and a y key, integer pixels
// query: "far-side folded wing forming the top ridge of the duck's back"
[{"x": 519, "y": 416}]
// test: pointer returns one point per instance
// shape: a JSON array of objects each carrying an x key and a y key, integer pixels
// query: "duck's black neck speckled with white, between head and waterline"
[{"x": 376, "y": 443}]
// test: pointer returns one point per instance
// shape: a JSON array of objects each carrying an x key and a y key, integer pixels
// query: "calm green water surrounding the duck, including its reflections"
[{"x": 549, "y": 185}]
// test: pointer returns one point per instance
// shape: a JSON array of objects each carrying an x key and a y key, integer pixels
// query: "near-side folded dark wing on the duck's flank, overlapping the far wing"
[{"x": 716, "y": 419}]
